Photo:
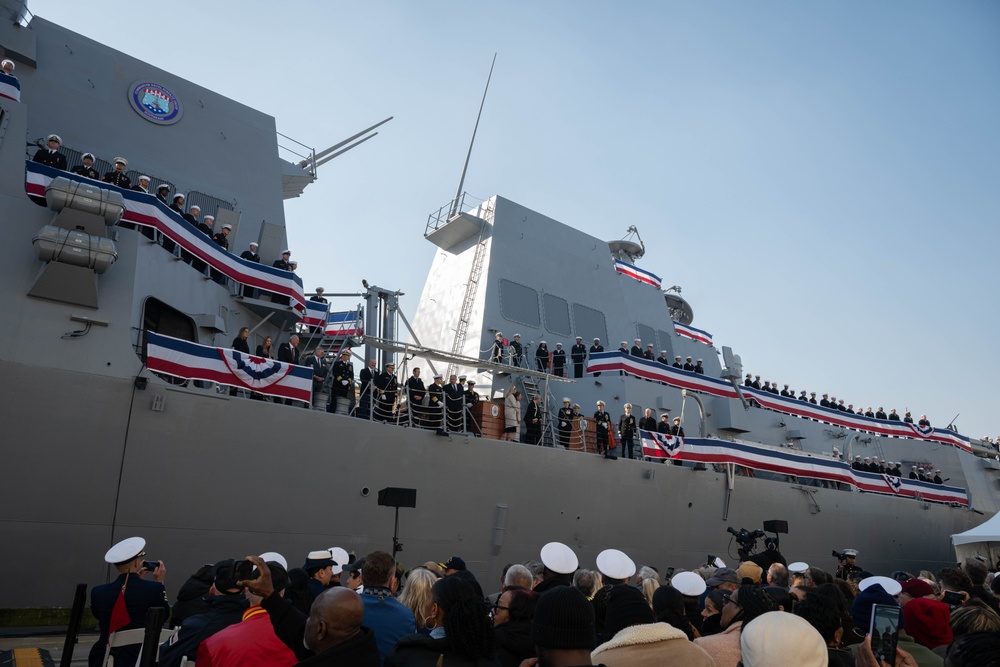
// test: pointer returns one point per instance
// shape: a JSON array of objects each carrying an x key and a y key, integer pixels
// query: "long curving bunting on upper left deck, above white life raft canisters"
[{"x": 148, "y": 211}]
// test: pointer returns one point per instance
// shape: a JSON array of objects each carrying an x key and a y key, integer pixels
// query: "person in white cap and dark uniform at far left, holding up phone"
[{"x": 122, "y": 604}]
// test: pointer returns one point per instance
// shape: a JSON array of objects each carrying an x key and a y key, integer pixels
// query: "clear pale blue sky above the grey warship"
[{"x": 821, "y": 178}]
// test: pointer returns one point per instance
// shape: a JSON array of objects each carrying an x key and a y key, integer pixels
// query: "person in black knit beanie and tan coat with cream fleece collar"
[{"x": 635, "y": 639}]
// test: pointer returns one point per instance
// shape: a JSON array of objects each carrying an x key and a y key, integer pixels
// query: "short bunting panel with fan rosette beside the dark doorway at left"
[{"x": 191, "y": 361}]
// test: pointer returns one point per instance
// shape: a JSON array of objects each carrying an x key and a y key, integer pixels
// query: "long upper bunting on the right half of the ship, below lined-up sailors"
[{"x": 604, "y": 362}]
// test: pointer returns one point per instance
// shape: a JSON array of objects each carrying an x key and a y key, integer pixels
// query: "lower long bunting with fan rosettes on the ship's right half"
[{"x": 705, "y": 450}]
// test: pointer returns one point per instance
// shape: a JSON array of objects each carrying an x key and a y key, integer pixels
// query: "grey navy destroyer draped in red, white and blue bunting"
[{"x": 97, "y": 446}]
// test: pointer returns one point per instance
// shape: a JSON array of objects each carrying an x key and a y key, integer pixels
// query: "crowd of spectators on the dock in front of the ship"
[{"x": 550, "y": 611}]
